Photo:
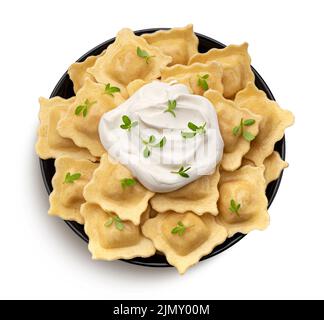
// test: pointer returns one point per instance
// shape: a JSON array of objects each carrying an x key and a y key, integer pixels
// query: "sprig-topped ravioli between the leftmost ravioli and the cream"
[{"x": 82, "y": 118}]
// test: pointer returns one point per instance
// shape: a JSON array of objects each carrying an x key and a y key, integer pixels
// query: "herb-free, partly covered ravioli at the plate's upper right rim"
[{"x": 235, "y": 61}]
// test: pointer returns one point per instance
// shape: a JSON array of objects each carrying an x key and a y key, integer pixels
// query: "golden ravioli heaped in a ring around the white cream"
[{"x": 127, "y": 222}]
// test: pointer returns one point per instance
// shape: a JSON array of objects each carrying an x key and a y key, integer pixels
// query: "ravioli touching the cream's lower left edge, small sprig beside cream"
[{"x": 105, "y": 189}]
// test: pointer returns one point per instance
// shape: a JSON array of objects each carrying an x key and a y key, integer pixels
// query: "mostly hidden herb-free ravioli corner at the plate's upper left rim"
[{"x": 78, "y": 71}]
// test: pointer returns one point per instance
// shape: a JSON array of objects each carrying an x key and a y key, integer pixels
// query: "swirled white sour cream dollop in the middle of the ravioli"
[{"x": 147, "y": 106}]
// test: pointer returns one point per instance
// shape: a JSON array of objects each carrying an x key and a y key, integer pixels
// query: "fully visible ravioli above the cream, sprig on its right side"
[{"x": 129, "y": 58}]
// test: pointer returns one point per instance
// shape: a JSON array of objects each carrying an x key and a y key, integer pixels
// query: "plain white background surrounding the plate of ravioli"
[{"x": 42, "y": 258}]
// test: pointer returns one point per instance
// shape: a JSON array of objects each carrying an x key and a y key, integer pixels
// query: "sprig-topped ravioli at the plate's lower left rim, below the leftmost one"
[{"x": 68, "y": 182}]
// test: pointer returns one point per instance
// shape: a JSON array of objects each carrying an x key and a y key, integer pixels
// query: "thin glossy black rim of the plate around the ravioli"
[{"x": 230, "y": 241}]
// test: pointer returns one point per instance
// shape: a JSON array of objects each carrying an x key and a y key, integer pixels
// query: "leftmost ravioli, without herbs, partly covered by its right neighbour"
[{"x": 49, "y": 143}]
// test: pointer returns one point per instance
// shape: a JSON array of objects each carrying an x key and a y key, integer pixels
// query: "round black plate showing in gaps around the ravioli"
[{"x": 64, "y": 88}]
